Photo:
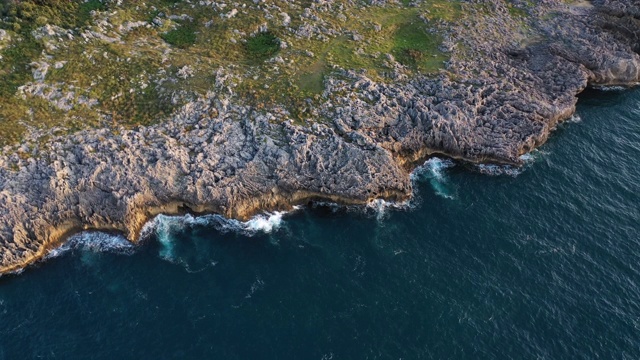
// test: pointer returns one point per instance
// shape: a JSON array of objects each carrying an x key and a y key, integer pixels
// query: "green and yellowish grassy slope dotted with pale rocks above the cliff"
[{"x": 103, "y": 71}]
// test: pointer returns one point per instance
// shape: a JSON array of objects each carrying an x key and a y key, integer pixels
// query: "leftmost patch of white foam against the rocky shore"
[{"x": 96, "y": 242}]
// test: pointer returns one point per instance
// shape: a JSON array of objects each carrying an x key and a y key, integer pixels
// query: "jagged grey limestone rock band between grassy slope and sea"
[{"x": 218, "y": 155}]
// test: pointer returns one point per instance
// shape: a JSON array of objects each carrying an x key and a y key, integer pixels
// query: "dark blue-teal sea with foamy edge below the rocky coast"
[{"x": 544, "y": 264}]
